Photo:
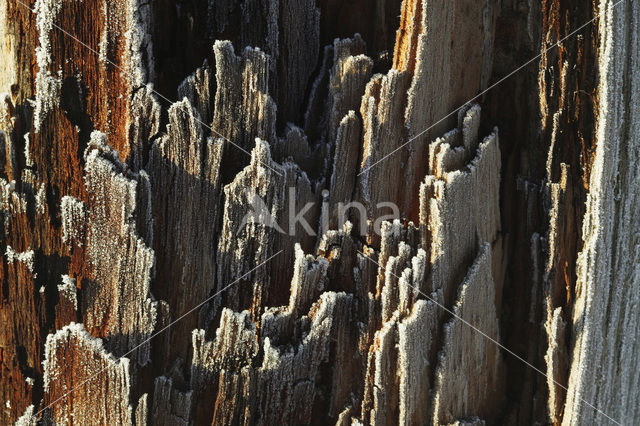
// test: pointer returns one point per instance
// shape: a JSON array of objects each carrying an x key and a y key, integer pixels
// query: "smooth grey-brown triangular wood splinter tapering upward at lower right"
[{"x": 467, "y": 380}]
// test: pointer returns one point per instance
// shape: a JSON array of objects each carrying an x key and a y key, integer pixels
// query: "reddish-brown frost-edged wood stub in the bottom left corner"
[{"x": 71, "y": 357}]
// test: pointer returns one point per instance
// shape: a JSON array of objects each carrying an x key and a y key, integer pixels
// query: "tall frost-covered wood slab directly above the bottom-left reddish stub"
[{"x": 117, "y": 303}]
